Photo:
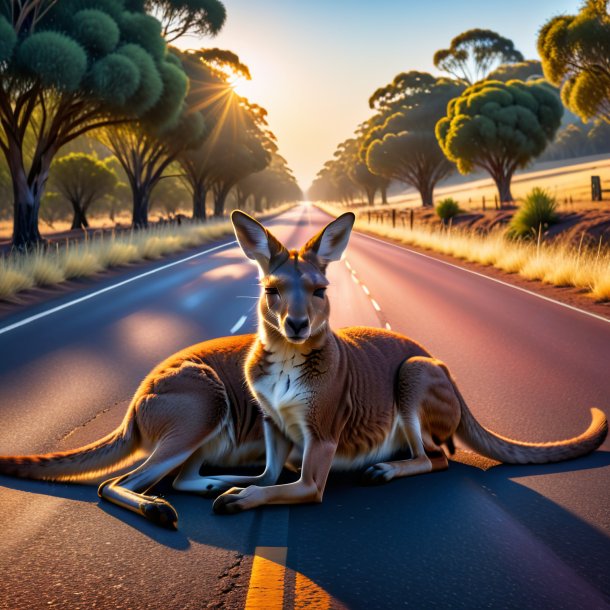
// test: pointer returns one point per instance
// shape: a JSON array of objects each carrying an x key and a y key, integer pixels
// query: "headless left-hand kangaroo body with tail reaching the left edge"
[{"x": 192, "y": 408}]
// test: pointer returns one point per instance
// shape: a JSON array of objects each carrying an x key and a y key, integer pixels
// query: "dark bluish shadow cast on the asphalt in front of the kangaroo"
[{"x": 451, "y": 539}]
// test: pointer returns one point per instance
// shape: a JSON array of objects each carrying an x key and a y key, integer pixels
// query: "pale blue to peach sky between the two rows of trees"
[{"x": 315, "y": 63}]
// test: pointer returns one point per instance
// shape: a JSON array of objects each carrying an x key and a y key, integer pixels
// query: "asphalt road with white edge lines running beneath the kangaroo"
[{"x": 505, "y": 537}]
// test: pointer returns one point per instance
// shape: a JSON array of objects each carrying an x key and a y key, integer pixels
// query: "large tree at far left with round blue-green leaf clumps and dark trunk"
[{"x": 67, "y": 68}]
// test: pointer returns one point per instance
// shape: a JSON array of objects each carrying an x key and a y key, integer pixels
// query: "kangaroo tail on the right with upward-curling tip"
[{"x": 510, "y": 451}]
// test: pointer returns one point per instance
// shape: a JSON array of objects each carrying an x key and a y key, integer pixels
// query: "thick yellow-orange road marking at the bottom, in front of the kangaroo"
[{"x": 266, "y": 588}]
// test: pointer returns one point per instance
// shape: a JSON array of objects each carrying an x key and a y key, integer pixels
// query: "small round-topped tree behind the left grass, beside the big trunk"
[{"x": 82, "y": 180}]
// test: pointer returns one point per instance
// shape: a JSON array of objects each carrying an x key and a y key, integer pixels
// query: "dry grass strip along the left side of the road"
[{"x": 86, "y": 258}]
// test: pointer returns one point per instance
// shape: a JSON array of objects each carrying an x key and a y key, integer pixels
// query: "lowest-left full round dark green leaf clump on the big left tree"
[{"x": 53, "y": 58}]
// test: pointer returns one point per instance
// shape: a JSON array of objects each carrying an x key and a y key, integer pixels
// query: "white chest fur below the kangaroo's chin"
[{"x": 283, "y": 394}]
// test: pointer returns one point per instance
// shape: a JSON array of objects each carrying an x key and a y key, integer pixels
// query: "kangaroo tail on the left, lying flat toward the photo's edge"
[{"x": 85, "y": 463}]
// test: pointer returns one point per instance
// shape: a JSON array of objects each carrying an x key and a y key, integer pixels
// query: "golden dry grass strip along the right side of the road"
[{"x": 558, "y": 263}]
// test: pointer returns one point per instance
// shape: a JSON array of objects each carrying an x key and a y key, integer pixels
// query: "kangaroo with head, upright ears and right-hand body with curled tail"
[{"x": 352, "y": 398}]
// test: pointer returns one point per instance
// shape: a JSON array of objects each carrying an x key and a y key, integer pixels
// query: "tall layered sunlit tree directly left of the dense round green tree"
[{"x": 404, "y": 146}]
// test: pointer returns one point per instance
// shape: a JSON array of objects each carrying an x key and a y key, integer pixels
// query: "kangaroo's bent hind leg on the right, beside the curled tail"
[{"x": 429, "y": 414}]
